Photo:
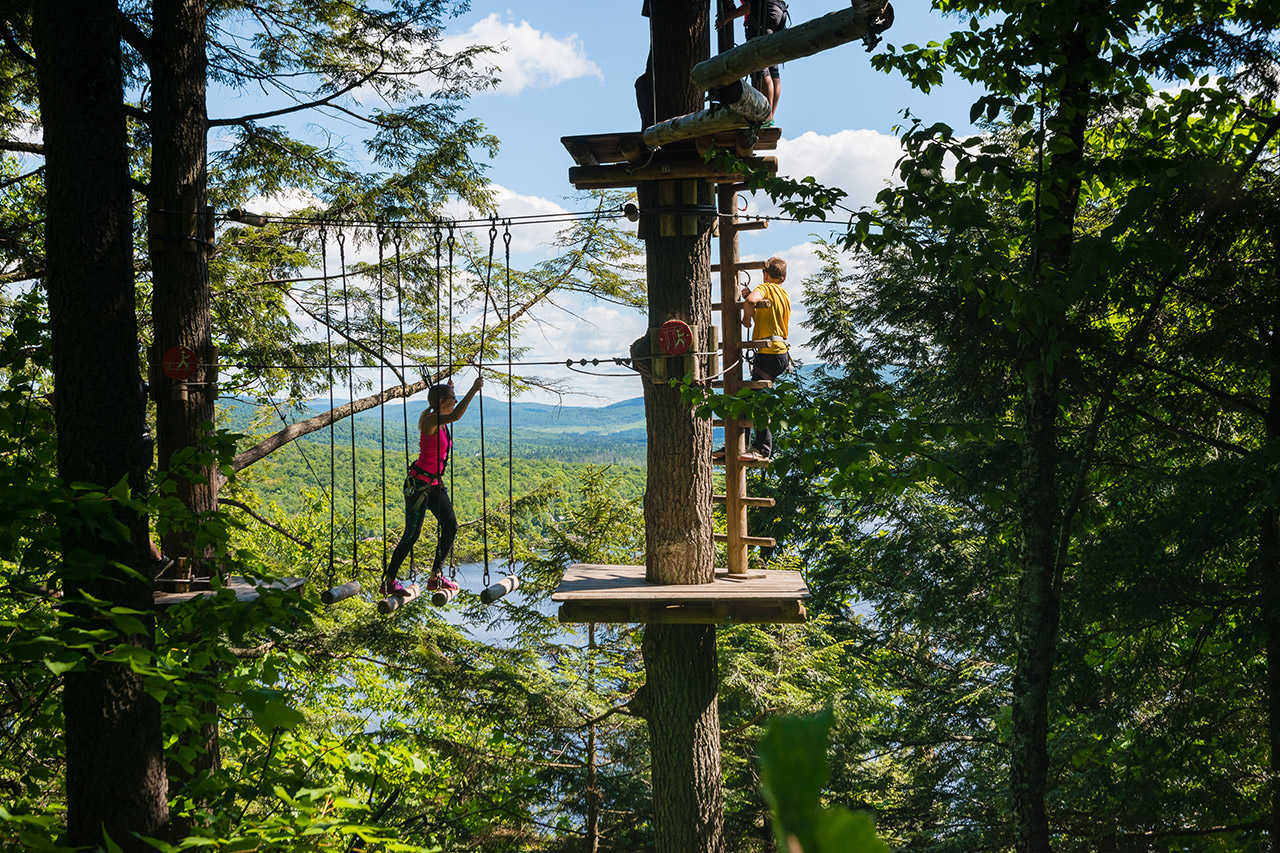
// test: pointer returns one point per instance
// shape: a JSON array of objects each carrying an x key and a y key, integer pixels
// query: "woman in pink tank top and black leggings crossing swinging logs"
[{"x": 424, "y": 487}]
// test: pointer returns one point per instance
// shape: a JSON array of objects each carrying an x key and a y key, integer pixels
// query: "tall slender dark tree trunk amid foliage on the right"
[{"x": 1039, "y": 606}]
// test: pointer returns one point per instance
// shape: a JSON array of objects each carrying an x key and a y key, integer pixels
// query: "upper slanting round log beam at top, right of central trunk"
[{"x": 803, "y": 40}]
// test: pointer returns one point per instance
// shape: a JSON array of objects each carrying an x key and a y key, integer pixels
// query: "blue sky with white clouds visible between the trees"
[{"x": 569, "y": 69}]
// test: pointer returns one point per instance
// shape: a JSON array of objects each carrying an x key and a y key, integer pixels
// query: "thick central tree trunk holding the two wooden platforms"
[{"x": 680, "y": 660}]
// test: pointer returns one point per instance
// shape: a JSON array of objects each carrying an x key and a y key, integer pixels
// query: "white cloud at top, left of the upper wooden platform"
[{"x": 529, "y": 57}]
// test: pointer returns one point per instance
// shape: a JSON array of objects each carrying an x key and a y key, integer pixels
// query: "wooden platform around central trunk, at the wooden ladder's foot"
[{"x": 604, "y": 594}]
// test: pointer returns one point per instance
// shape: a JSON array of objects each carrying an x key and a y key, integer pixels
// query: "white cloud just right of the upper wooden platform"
[{"x": 858, "y": 162}]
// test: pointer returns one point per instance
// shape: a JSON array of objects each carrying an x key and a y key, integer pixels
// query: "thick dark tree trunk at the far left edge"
[{"x": 116, "y": 781}]
